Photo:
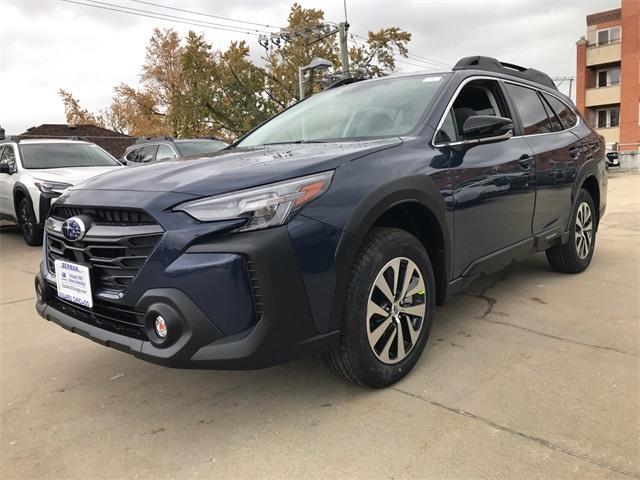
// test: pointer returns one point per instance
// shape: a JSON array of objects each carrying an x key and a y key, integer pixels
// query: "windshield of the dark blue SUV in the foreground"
[{"x": 383, "y": 108}]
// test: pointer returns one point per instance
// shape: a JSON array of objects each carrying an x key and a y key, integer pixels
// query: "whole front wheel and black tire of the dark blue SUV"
[{"x": 368, "y": 313}]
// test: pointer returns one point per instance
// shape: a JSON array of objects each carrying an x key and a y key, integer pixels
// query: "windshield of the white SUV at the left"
[{"x": 63, "y": 155}]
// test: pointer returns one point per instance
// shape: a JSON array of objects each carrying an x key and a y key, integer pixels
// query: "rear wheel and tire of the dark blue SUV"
[{"x": 575, "y": 256}]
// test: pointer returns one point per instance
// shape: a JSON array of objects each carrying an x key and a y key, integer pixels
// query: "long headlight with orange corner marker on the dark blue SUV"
[{"x": 263, "y": 207}]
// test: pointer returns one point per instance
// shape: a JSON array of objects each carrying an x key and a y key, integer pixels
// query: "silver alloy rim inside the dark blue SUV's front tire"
[{"x": 396, "y": 310}]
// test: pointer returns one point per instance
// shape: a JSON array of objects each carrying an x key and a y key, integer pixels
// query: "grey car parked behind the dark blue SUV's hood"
[{"x": 151, "y": 150}]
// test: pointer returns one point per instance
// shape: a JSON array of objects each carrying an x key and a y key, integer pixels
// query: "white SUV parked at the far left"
[{"x": 33, "y": 173}]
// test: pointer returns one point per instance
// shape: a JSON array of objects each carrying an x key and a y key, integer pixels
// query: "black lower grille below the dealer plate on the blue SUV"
[{"x": 126, "y": 322}]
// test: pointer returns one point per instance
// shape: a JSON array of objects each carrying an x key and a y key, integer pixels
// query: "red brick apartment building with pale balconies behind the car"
[{"x": 608, "y": 75}]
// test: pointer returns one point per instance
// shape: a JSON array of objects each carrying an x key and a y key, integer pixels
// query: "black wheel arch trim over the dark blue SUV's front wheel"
[{"x": 418, "y": 189}]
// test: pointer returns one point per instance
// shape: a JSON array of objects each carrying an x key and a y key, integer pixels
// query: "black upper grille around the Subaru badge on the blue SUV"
[{"x": 115, "y": 260}]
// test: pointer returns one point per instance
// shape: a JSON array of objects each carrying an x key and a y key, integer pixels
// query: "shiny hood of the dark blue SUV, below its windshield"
[{"x": 237, "y": 168}]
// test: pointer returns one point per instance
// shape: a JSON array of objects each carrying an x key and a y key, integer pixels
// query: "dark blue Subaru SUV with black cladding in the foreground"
[{"x": 334, "y": 228}]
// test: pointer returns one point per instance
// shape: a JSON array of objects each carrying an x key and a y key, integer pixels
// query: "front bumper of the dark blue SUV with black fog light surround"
[{"x": 283, "y": 328}]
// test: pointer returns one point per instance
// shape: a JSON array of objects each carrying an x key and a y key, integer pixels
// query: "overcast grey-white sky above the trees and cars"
[{"x": 49, "y": 44}]
